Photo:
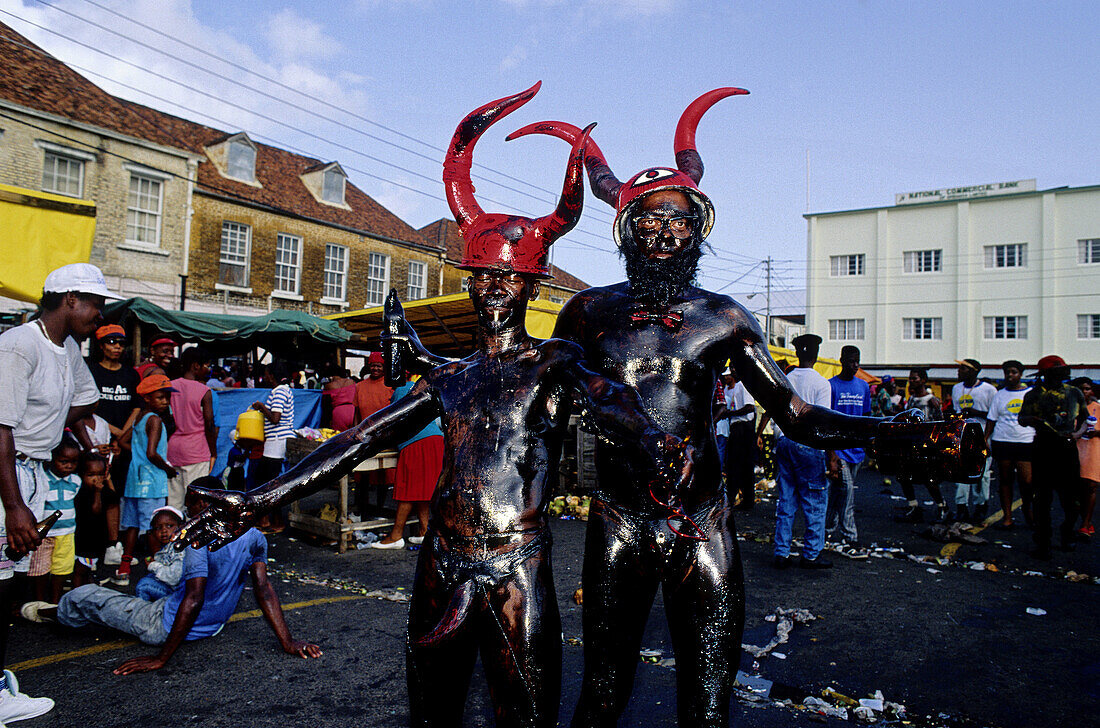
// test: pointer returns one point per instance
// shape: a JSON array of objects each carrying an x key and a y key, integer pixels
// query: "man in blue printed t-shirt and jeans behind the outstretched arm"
[{"x": 851, "y": 396}]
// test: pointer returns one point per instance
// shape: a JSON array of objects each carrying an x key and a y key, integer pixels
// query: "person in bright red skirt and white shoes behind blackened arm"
[{"x": 420, "y": 462}]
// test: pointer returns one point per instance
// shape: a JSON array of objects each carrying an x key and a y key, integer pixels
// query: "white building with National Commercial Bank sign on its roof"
[{"x": 993, "y": 272}]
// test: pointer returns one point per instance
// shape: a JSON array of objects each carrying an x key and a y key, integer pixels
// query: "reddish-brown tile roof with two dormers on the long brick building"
[{"x": 31, "y": 78}]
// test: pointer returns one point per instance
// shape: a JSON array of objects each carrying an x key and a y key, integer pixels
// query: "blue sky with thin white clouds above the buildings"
[{"x": 883, "y": 98}]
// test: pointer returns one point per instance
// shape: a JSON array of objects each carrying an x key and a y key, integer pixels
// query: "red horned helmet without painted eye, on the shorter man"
[{"x": 508, "y": 241}]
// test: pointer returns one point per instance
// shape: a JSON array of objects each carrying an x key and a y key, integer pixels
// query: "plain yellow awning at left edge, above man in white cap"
[{"x": 40, "y": 233}]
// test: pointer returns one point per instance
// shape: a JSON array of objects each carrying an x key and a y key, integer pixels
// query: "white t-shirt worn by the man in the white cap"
[{"x": 39, "y": 382}]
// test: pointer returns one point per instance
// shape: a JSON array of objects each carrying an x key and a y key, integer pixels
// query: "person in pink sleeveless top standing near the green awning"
[{"x": 193, "y": 448}]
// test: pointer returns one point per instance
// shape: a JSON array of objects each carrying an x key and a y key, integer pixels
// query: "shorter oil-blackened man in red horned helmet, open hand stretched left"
[{"x": 483, "y": 581}]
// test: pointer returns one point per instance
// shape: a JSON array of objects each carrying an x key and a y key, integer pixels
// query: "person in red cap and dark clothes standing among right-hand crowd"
[{"x": 1058, "y": 412}]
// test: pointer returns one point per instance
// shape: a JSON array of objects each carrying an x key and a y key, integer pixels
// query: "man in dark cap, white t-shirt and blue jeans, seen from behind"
[{"x": 802, "y": 468}]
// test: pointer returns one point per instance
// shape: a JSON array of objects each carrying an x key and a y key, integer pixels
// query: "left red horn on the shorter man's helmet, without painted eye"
[{"x": 460, "y": 190}]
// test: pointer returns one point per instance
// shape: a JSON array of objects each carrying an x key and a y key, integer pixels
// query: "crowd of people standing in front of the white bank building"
[{"x": 1042, "y": 438}]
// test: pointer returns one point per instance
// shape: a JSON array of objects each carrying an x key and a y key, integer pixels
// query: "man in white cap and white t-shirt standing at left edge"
[{"x": 45, "y": 387}]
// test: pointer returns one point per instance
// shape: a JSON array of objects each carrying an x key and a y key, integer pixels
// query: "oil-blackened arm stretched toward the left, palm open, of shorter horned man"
[{"x": 232, "y": 514}]
